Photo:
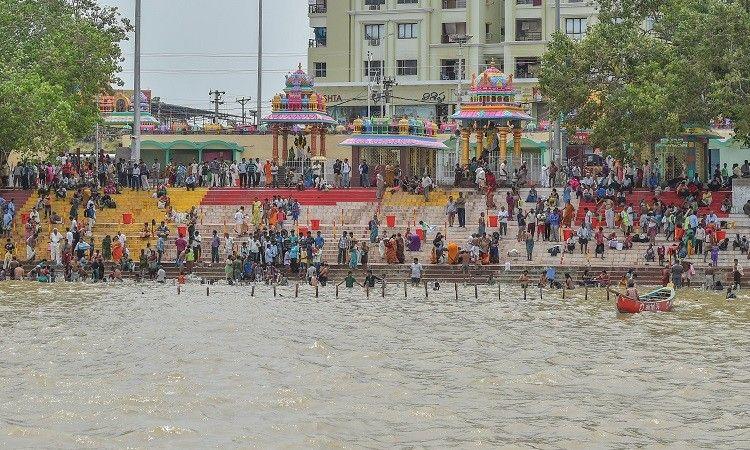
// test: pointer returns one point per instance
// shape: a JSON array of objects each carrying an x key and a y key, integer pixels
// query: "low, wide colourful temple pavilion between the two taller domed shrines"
[{"x": 410, "y": 144}]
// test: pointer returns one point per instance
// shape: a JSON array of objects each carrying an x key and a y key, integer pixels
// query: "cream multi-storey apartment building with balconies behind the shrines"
[{"x": 356, "y": 42}]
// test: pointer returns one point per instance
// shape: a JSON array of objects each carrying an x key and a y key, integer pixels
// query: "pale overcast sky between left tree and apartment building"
[{"x": 190, "y": 47}]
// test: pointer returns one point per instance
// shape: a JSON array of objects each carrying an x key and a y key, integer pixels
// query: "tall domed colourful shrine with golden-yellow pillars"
[{"x": 493, "y": 113}]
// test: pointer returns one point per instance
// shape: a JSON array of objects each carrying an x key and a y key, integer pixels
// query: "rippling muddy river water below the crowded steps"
[{"x": 141, "y": 366}]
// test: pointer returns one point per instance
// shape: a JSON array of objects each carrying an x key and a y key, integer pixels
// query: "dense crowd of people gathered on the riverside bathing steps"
[{"x": 266, "y": 246}]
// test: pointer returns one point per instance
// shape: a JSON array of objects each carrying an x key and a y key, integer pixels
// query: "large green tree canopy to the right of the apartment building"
[{"x": 649, "y": 68}]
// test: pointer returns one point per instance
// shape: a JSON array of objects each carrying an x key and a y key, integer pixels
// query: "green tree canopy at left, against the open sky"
[{"x": 56, "y": 56}]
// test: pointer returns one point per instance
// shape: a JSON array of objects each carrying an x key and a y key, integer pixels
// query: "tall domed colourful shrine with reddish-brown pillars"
[{"x": 299, "y": 105}]
